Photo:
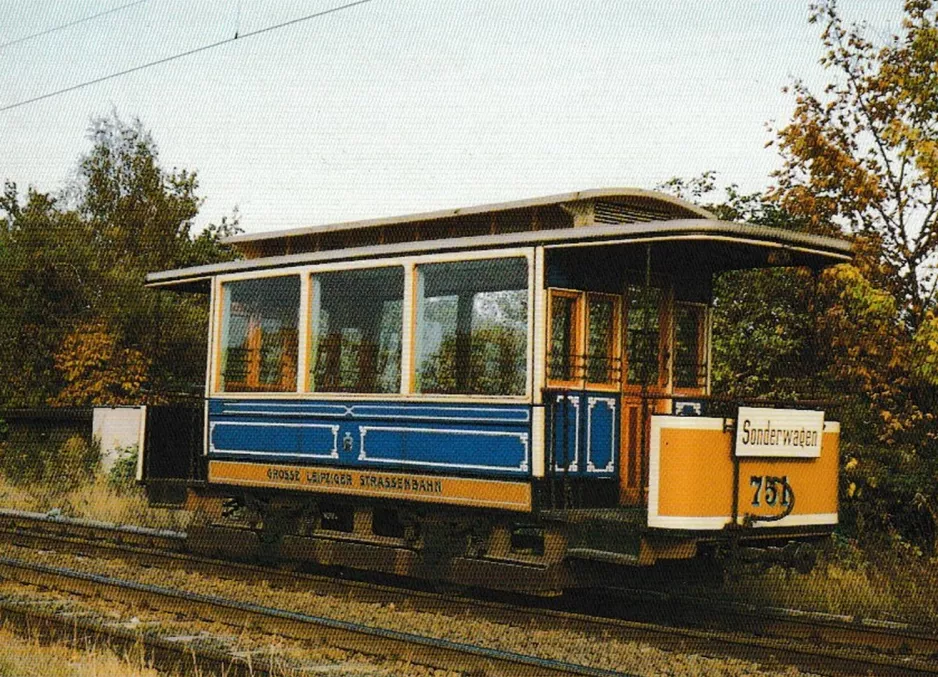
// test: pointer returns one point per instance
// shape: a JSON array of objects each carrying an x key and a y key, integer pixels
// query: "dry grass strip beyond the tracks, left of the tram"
[{"x": 97, "y": 501}]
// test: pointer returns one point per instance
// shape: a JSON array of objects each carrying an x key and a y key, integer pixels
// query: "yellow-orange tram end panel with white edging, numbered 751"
[{"x": 691, "y": 478}]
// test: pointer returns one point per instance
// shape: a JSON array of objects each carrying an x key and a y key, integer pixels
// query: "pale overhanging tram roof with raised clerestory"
[{"x": 639, "y": 217}]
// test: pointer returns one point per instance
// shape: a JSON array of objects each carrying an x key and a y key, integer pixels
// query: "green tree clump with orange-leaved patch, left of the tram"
[{"x": 77, "y": 325}]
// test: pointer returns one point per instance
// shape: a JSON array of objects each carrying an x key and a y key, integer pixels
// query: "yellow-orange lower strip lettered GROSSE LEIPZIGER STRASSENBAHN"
[{"x": 427, "y": 488}]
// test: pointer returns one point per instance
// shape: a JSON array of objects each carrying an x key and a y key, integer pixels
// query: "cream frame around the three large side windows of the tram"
[{"x": 408, "y": 335}]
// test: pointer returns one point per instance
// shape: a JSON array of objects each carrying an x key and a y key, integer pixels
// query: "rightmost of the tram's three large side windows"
[{"x": 472, "y": 327}]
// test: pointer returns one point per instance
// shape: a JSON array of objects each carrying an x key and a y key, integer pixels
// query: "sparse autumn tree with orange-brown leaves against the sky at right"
[{"x": 863, "y": 156}]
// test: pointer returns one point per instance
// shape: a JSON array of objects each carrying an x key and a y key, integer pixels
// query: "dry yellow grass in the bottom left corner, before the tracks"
[{"x": 28, "y": 658}]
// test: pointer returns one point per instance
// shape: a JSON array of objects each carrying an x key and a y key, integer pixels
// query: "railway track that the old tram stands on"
[{"x": 814, "y": 642}]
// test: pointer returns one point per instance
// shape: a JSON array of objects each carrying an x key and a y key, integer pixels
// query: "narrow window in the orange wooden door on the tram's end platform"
[{"x": 643, "y": 336}]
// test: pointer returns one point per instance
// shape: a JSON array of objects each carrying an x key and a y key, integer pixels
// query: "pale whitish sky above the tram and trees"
[{"x": 394, "y": 107}]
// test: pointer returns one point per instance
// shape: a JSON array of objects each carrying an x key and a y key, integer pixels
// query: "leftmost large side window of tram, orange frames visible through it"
[{"x": 259, "y": 335}]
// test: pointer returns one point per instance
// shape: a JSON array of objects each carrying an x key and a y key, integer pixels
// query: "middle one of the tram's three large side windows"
[{"x": 356, "y": 324}]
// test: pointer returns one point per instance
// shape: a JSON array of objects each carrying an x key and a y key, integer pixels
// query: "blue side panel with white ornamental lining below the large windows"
[{"x": 457, "y": 438}]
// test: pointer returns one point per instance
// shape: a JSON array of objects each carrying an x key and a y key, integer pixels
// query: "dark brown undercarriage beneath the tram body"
[{"x": 541, "y": 554}]
